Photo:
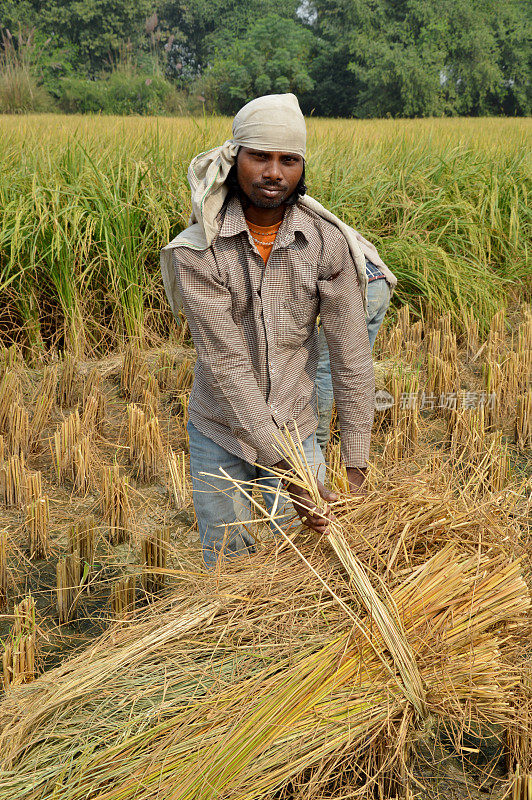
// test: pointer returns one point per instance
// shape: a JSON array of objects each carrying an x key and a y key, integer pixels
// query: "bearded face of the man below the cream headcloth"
[{"x": 268, "y": 179}]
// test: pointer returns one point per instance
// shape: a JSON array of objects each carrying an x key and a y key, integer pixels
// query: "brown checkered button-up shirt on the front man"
[{"x": 254, "y": 329}]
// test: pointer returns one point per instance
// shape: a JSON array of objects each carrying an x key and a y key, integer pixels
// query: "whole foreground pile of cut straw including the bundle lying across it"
[{"x": 295, "y": 687}]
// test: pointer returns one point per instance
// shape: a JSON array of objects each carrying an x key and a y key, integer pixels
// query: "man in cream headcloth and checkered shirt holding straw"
[{"x": 258, "y": 265}]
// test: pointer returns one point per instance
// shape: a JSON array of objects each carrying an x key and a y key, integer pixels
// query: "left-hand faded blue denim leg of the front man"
[{"x": 216, "y": 502}]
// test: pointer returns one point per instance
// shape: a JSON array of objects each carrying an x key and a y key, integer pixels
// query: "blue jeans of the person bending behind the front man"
[{"x": 378, "y": 302}]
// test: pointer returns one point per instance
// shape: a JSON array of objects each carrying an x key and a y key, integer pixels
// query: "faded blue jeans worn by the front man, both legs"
[{"x": 218, "y": 504}]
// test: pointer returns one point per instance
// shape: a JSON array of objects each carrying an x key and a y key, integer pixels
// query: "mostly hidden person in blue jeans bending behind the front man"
[{"x": 381, "y": 282}]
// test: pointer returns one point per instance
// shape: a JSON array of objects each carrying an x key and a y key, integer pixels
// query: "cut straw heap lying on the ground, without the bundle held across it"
[{"x": 242, "y": 712}]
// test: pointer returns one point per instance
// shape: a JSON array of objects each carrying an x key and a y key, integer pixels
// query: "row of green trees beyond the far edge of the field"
[{"x": 362, "y": 58}]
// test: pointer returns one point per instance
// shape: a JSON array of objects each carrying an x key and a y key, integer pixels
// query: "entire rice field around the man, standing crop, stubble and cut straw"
[{"x": 391, "y": 658}]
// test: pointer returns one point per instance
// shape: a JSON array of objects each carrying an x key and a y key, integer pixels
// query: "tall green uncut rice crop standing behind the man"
[{"x": 87, "y": 203}]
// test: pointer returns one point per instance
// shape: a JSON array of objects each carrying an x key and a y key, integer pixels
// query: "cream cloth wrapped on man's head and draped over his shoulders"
[{"x": 273, "y": 123}]
